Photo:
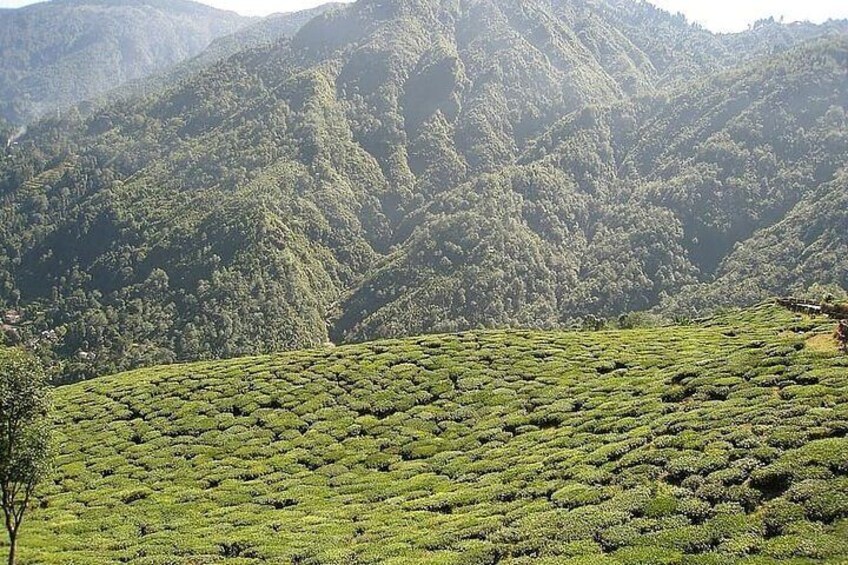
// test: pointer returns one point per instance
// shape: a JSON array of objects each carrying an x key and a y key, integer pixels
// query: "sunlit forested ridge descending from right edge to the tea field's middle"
[{"x": 615, "y": 207}]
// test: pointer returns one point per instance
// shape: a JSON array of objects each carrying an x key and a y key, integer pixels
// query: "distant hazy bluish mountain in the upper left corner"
[{"x": 58, "y": 53}]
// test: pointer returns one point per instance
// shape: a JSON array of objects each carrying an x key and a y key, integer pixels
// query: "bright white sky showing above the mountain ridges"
[{"x": 717, "y": 15}]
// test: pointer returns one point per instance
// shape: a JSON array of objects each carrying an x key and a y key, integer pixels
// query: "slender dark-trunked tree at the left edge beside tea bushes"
[{"x": 24, "y": 435}]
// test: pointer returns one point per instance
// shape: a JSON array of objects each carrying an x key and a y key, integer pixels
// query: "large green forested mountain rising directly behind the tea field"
[{"x": 424, "y": 165}]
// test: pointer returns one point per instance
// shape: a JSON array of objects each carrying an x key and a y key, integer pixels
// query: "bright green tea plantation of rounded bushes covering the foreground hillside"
[{"x": 715, "y": 444}]
